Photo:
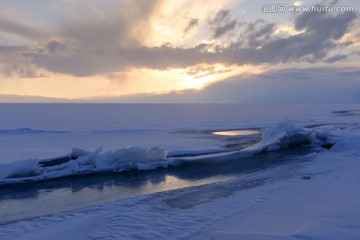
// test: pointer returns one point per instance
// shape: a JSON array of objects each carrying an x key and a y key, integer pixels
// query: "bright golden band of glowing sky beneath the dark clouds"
[{"x": 134, "y": 81}]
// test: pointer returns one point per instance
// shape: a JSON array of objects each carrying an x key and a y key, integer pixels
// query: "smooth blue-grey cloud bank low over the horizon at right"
[{"x": 310, "y": 85}]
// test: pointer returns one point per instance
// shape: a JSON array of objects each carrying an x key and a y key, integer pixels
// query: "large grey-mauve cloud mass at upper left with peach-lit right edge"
[{"x": 82, "y": 37}]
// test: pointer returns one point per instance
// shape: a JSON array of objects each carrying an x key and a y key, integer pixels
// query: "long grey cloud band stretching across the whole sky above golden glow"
[{"x": 93, "y": 39}]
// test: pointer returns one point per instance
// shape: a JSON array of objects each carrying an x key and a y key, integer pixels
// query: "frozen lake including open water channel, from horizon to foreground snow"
[{"x": 192, "y": 133}]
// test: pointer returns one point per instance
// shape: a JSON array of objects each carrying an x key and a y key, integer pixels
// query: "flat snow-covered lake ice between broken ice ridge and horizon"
[{"x": 49, "y": 130}]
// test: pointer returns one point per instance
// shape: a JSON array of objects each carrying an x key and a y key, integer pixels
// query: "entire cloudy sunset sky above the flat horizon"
[{"x": 179, "y": 51}]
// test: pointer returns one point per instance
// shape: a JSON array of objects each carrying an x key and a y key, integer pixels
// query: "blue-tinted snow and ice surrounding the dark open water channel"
[{"x": 316, "y": 197}]
